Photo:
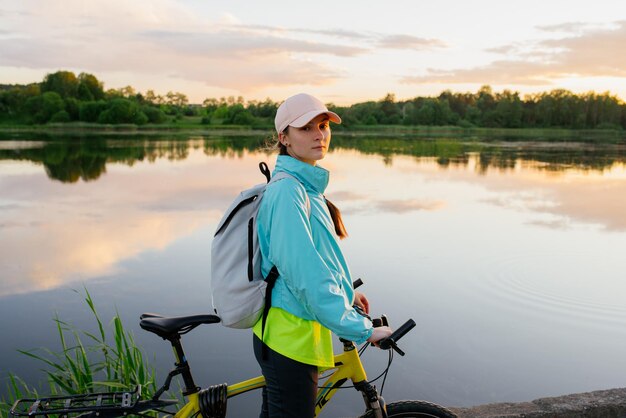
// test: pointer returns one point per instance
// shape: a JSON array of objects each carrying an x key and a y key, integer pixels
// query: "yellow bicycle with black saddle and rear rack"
[{"x": 211, "y": 402}]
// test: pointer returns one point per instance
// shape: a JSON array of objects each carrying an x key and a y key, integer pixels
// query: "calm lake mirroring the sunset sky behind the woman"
[{"x": 509, "y": 255}]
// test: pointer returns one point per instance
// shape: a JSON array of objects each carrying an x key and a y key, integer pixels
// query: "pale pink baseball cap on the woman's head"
[{"x": 298, "y": 110}]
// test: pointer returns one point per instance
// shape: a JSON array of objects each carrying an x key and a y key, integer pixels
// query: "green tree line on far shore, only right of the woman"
[{"x": 555, "y": 109}]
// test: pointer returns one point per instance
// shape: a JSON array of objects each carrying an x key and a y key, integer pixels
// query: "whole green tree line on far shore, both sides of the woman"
[{"x": 65, "y": 97}]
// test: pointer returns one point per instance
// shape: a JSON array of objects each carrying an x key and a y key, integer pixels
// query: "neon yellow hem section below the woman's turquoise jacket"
[{"x": 299, "y": 339}]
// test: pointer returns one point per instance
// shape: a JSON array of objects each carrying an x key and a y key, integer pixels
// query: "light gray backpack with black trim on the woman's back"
[{"x": 241, "y": 295}]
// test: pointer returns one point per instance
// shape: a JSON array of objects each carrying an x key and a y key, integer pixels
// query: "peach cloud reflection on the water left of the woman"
[{"x": 46, "y": 244}]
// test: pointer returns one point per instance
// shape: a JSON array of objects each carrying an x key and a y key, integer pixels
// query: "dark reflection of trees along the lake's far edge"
[{"x": 71, "y": 159}]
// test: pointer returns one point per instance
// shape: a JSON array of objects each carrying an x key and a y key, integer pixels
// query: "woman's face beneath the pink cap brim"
[{"x": 310, "y": 142}]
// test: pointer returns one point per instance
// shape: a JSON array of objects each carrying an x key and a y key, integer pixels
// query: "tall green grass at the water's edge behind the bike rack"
[{"x": 86, "y": 367}]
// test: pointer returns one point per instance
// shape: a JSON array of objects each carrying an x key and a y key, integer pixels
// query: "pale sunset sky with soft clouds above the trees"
[{"x": 343, "y": 52}]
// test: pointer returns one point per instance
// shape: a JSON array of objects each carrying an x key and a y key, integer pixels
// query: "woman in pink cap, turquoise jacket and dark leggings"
[{"x": 313, "y": 295}]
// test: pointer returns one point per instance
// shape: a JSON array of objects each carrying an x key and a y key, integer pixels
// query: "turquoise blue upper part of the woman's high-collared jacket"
[{"x": 314, "y": 281}]
